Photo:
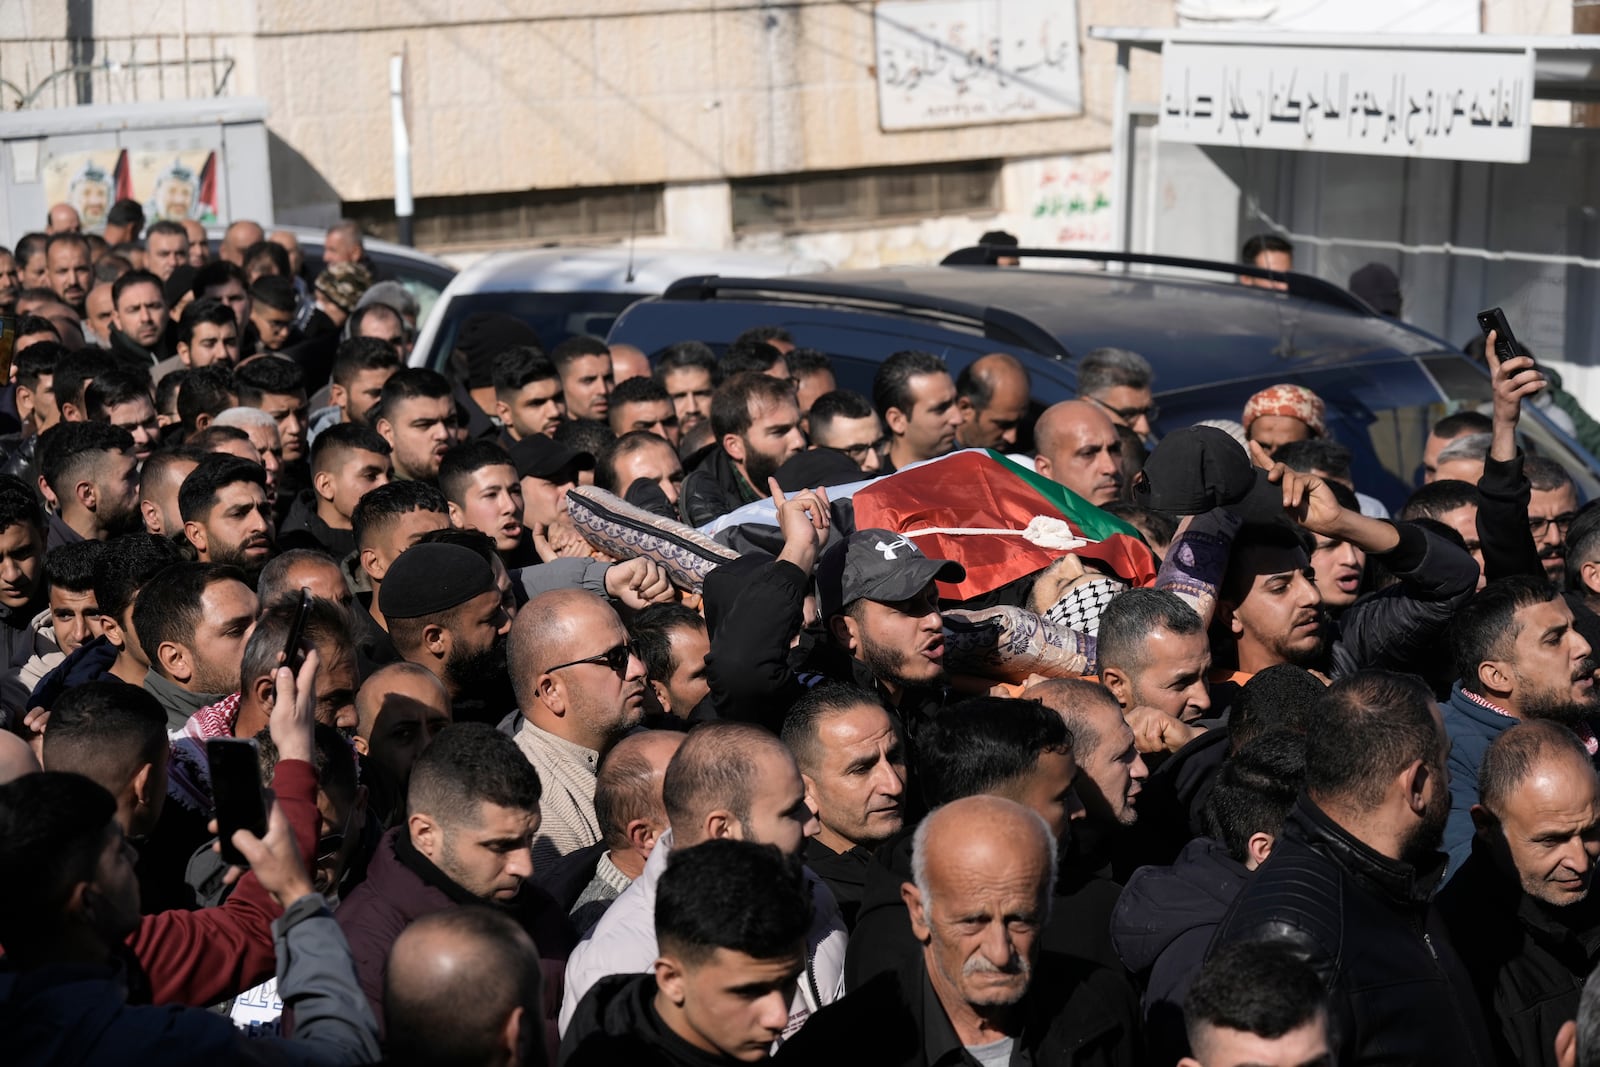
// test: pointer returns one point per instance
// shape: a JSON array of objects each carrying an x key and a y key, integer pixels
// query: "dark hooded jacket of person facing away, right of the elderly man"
[{"x": 1162, "y": 925}]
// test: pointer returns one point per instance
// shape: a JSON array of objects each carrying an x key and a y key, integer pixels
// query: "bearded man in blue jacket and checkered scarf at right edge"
[{"x": 1518, "y": 658}]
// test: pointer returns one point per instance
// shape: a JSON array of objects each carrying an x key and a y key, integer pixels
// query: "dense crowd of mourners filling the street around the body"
[{"x": 1322, "y": 791}]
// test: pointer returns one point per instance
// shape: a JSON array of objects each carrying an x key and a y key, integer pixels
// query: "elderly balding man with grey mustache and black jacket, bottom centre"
[{"x": 980, "y": 895}]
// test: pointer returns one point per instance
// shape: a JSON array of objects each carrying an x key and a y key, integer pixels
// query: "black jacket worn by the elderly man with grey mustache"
[{"x": 1076, "y": 1015}]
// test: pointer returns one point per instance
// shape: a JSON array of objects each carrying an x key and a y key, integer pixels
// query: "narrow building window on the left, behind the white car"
[{"x": 521, "y": 217}]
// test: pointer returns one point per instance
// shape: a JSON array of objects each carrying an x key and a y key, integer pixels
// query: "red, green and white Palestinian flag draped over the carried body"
[{"x": 983, "y": 490}]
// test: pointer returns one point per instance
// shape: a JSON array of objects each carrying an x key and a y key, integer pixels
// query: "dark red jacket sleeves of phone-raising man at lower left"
[{"x": 202, "y": 957}]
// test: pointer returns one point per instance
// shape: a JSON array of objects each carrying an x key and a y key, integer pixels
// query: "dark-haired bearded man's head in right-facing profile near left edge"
[{"x": 95, "y": 479}]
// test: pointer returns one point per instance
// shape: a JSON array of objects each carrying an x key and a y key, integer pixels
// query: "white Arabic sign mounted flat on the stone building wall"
[{"x": 969, "y": 63}]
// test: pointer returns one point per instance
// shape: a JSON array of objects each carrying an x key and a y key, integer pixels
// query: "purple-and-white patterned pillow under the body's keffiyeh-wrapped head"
[{"x": 1010, "y": 644}]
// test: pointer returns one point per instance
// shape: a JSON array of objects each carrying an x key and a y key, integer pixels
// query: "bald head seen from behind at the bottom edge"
[{"x": 454, "y": 983}]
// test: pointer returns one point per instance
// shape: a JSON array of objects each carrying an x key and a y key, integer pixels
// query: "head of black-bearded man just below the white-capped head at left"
[{"x": 226, "y": 514}]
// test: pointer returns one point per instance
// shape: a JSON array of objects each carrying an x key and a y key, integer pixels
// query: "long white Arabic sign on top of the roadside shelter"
[{"x": 1366, "y": 102}]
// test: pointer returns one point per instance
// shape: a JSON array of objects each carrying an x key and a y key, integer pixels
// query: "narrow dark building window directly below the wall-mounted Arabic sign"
[{"x": 846, "y": 199}]
